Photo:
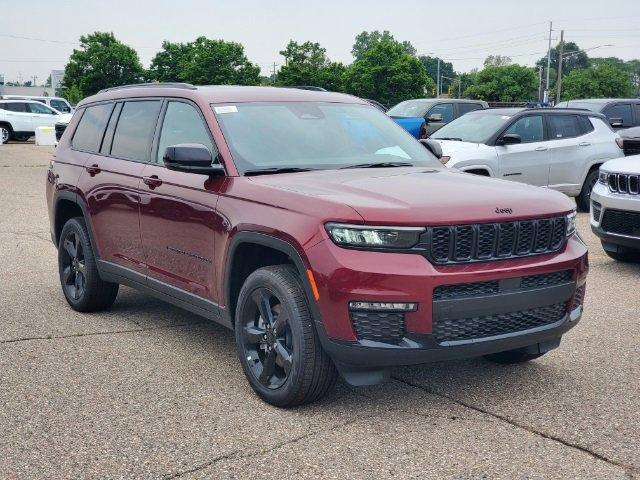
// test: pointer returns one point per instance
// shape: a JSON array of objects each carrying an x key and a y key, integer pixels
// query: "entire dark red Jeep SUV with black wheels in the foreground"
[{"x": 327, "y": 237}]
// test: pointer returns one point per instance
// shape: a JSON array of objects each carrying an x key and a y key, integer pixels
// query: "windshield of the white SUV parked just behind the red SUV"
[{"x": 476, "y": 127}]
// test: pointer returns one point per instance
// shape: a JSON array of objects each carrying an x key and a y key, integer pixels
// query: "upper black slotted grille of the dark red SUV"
[{"x": 495, "y": 241}]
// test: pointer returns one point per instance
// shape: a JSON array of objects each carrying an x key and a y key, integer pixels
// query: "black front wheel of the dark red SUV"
[{"x": 277, "y": 343}]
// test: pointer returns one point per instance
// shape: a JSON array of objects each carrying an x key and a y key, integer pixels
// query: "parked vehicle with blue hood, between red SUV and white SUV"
[{"x": 422, "y": 117}]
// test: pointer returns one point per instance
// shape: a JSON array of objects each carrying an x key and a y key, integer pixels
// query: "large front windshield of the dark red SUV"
[{"x": 315, "y": 135}]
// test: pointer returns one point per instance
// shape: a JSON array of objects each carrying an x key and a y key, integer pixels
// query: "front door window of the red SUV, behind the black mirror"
[{"x": 183, "y": 124}]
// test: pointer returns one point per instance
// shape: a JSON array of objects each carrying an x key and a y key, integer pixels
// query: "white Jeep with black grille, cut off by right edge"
[{"x": 615, "y": 208}]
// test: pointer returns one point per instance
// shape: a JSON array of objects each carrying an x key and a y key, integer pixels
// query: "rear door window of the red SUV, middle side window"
[{"x": 134, "y": 132}]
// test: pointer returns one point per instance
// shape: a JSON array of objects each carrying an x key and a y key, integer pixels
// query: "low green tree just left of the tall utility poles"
[{"x": 511, "y": 83}]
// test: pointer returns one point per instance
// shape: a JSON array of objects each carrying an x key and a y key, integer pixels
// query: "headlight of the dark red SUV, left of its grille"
[{"x": 374, "y": 237}]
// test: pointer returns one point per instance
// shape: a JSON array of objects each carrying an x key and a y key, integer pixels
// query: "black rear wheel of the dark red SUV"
[{"x": 81, "y": 284}]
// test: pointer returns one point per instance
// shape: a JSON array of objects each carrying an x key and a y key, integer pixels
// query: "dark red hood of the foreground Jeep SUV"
[{"x": 421, "y": 196}]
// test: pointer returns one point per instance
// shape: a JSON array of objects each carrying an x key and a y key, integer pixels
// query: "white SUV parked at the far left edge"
[{"x": 20, "y": 118}]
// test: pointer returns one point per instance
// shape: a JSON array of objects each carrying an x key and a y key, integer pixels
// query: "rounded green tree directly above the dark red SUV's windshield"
[{"x": 388, "y": 74}]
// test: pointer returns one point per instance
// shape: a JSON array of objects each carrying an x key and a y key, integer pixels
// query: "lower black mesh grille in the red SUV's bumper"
[{"x": 499, "y": 324}]
